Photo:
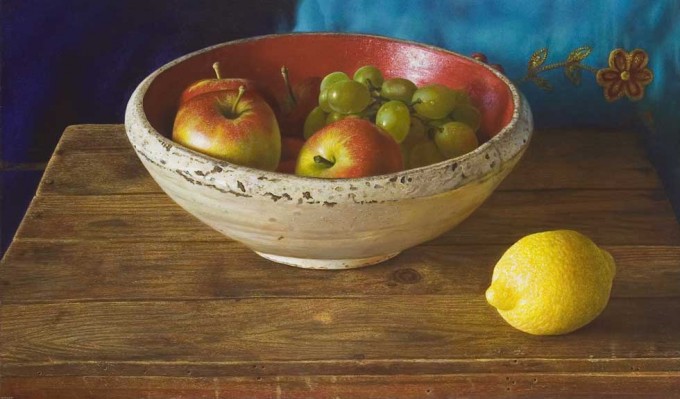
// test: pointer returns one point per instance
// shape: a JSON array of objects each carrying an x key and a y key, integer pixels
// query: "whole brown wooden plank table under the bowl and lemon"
[{"x": 110, "y": 290}]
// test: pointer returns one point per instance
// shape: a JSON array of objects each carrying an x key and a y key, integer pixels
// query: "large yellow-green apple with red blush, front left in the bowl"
[{"x": 236, "y": 126}]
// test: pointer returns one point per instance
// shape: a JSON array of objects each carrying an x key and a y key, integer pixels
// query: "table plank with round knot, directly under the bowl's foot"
[{"x": 115, "y": 271}]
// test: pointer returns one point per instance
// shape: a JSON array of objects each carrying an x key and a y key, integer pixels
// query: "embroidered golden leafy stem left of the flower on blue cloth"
[{"x": 573, "y": 67}]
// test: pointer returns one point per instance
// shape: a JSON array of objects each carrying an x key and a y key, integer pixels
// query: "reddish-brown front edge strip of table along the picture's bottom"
[{"x": 648, "y": 385}]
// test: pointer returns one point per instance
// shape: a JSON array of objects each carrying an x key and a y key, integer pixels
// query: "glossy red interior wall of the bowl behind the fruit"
[{"x": 308, "y": 55}]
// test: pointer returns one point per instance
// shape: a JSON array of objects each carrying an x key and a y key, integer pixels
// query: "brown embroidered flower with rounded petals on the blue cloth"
[{"x": 627, "y": 75}]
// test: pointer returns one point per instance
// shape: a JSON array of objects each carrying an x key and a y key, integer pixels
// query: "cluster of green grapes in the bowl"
[{"x": 432, "y": 123}]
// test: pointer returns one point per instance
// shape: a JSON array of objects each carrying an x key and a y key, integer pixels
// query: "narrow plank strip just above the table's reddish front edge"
[{"x": 384, "y": 367}]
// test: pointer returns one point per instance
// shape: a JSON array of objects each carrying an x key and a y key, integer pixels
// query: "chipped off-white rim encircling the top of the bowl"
[{"x": 139, "y": 130}]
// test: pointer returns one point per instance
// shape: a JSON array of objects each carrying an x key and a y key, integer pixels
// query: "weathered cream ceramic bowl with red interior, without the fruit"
[{"x": 328, "y": 223}]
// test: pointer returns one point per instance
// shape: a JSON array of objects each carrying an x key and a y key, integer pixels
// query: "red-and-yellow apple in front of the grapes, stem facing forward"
[{"x": 347, "y": 148}]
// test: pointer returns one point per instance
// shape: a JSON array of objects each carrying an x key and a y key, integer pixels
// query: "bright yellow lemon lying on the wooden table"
[{"x": 551, "y": 283}]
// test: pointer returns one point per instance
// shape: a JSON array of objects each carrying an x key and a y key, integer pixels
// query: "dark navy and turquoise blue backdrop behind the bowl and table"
[{"x": 76, "y": 61}]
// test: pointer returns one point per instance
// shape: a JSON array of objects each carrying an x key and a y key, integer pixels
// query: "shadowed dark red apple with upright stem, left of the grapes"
[{"x": 296, "y": 103}]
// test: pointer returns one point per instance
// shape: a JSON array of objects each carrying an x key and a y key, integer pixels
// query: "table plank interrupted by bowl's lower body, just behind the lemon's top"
[{"x": 609, "y": 217}]
